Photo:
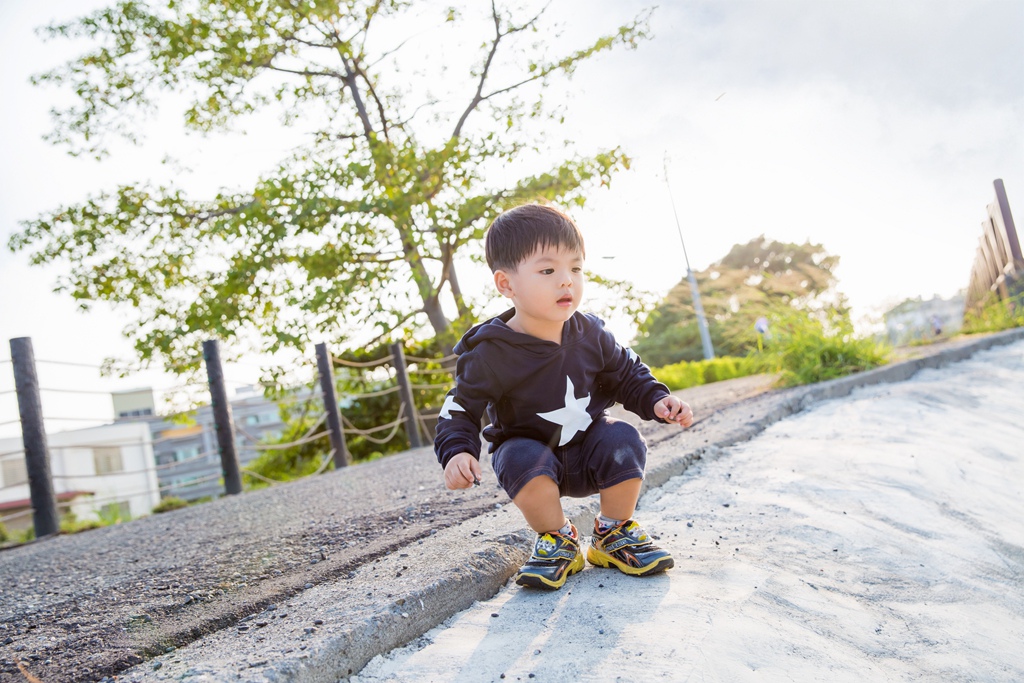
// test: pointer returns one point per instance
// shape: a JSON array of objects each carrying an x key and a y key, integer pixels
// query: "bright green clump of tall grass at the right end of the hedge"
[{"x": 807, "y": 348}]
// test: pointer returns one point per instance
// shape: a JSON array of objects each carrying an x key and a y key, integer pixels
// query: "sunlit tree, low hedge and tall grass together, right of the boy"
[{"x": 810, "y": 336}]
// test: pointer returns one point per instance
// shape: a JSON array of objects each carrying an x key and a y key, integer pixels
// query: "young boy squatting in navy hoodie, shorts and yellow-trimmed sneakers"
[{"x": 545, "y": 375}]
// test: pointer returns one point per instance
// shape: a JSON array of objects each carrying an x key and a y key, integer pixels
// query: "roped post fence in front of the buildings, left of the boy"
[{"x": 191, "y": 459}]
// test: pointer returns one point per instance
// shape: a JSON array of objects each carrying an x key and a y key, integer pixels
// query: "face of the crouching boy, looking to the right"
[{"x": 547, "y": 287}]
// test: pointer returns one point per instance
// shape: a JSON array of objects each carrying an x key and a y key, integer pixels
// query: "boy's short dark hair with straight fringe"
[{"x": 516, "y": 235}]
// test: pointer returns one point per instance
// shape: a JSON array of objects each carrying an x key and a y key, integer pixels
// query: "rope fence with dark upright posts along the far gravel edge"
[{"x": 223, "y": 434}]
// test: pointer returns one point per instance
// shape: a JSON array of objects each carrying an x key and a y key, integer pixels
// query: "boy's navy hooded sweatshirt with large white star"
[{"x": 539, "y": 390}]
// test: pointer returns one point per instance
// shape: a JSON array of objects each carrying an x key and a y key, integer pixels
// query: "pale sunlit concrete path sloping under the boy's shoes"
[{"x": 874, "y": 538}]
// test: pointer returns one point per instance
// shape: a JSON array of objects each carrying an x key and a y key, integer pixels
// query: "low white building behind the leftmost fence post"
[{"x": 106, "y": 472}]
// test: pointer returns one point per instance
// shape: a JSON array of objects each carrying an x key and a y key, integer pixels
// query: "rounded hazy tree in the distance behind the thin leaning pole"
[{"x": 748, "y": 283}]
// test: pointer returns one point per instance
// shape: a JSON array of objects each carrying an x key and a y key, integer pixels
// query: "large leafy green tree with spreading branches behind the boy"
[{"x": 358, "y": 233}]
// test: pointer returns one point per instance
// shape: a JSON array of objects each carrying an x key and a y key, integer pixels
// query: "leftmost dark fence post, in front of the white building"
[{"x": 37, "y": 457}]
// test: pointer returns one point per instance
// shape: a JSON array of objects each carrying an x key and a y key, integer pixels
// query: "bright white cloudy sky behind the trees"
[{"x": 875, "y": 129}]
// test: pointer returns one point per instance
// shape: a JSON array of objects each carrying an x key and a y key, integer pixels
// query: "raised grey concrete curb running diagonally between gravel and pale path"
[{"x": 460, "y": 566}]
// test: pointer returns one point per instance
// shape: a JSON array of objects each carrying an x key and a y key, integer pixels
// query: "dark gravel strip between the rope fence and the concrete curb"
[{"x": 89, "y": 607}]
